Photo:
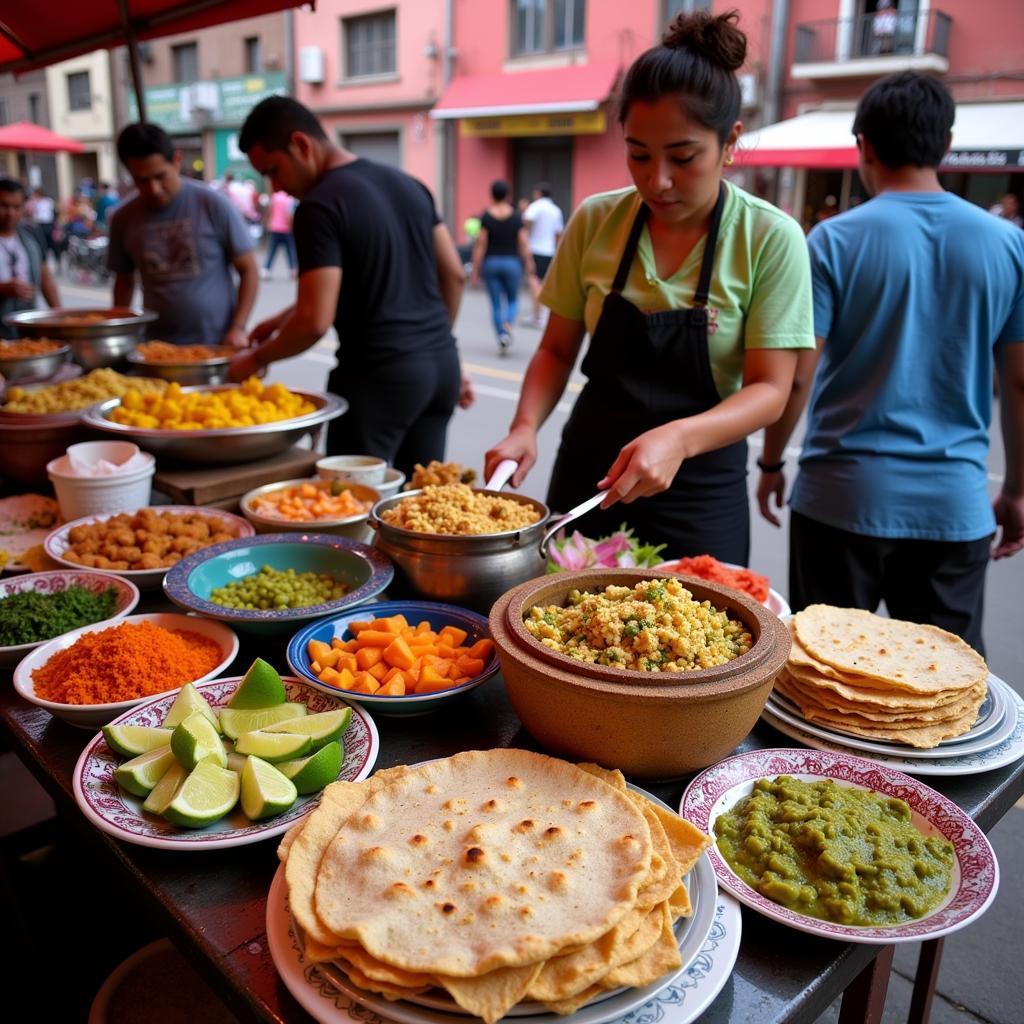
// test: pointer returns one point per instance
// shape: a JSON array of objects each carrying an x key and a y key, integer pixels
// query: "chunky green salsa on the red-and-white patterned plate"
[{"x": 839, "y": 855}]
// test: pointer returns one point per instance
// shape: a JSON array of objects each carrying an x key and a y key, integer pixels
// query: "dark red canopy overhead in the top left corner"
[{"x": 34, "y": 33}]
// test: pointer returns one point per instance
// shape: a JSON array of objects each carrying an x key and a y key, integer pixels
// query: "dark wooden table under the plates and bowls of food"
[{"x": 212, "y": 905}]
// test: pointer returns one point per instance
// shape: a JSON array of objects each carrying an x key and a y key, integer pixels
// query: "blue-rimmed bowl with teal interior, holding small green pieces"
[{"x": 190, "y": 583}]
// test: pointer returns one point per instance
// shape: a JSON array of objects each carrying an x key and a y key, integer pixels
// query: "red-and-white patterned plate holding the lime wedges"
[{"x": 120, "y": 815}]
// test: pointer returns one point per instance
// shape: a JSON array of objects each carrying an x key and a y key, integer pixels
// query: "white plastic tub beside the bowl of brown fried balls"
[{"x": 82, "y": 496}]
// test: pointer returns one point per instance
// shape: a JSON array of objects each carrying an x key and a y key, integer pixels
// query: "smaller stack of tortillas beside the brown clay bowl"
[{"x": 882, "y": 678}]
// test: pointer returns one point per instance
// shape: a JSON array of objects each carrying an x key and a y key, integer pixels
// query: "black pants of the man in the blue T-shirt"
[{"x": 942, "y": 583}]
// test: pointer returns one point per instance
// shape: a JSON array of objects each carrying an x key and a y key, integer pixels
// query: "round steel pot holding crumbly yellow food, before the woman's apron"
[{"x": 473, "y": 572}]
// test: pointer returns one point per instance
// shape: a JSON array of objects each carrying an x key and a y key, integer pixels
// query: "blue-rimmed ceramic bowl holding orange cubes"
[{"x": 416, "y": 612}]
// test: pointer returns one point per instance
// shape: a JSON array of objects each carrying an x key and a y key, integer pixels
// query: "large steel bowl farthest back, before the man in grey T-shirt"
[{"x": 104, "y": 343}]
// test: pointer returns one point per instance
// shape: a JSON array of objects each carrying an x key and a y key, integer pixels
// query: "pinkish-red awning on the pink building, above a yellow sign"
[{"x": 580, "y": 88}]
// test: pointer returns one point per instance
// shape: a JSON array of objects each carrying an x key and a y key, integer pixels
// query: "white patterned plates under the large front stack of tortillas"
[{"x": 680, "y": 1003}]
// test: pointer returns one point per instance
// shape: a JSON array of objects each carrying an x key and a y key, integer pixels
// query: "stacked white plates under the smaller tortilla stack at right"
[{"x": 996, "y": 723}]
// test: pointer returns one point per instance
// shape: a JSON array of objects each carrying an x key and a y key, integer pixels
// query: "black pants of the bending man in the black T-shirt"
[{"x": 399, "y": 411}]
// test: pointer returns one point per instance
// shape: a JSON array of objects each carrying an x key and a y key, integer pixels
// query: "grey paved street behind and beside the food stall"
[{"x": 982, "y": 970}]
